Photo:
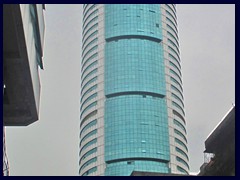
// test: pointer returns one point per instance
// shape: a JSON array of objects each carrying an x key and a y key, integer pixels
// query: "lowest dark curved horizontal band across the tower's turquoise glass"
[{"x": 137, "y": 159}]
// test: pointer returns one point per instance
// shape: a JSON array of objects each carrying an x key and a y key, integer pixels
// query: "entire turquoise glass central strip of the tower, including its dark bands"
[{"x": 136, "y": 122}]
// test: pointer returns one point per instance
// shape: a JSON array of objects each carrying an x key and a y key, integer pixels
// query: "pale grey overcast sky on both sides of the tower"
[{"x": 49, "y": 147}]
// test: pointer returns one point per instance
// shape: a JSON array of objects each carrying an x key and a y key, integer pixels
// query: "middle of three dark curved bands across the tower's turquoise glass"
[{"x": 143, "y": 93}]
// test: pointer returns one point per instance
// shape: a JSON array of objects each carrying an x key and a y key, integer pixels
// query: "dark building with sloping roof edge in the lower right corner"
[{"x": 220, "y": 148}]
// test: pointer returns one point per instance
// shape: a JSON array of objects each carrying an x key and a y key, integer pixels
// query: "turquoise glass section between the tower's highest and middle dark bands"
[{"x": 134, "y": 65}]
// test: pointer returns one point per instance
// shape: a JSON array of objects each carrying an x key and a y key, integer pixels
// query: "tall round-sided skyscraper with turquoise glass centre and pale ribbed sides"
[{"x": 132, "y": 111}]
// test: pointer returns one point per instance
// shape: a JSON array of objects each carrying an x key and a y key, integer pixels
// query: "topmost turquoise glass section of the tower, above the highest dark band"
[{"x": 139, "y": 19}]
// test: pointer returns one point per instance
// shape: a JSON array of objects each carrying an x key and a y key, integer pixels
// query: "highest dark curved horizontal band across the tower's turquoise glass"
[{"x": 150, "y": 38}]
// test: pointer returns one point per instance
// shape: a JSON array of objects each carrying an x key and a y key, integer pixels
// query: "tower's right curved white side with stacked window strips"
[{"x": 174, "y": 91}]
